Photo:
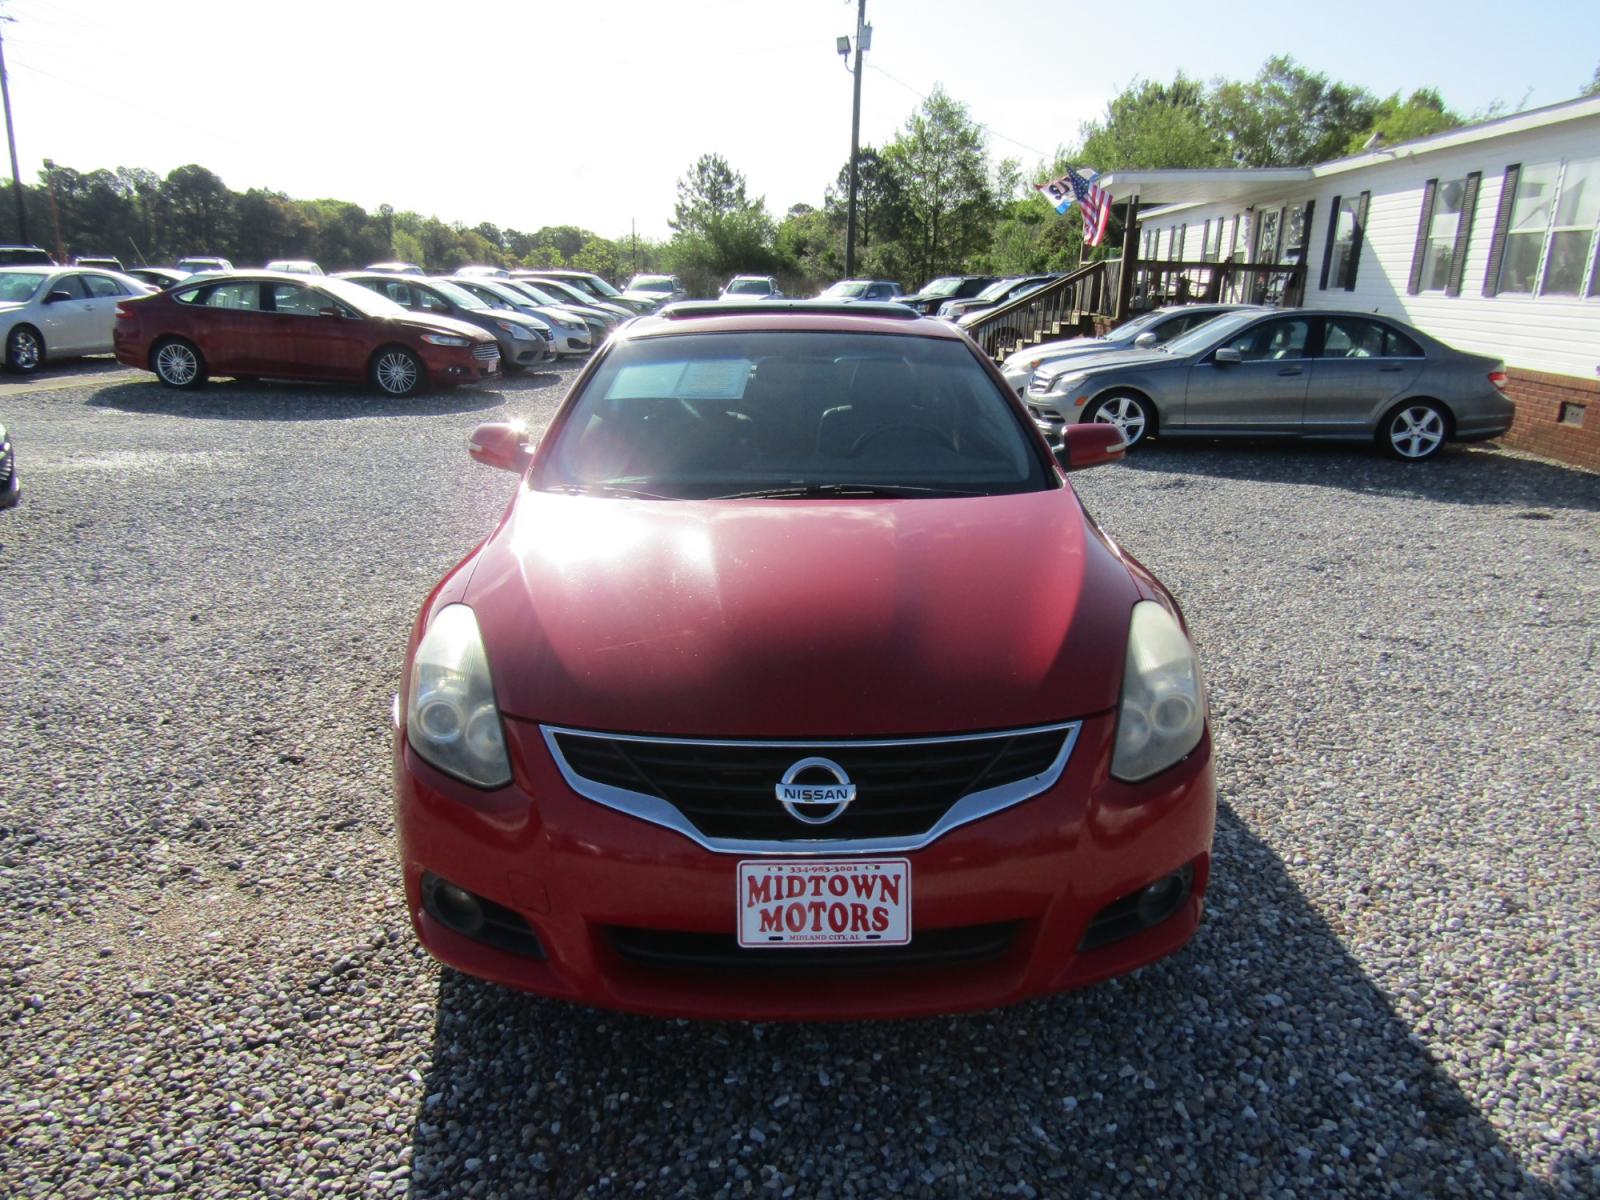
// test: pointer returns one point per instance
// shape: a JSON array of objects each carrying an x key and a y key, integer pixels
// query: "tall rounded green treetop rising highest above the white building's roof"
[{"x": 1289, "y": 116}]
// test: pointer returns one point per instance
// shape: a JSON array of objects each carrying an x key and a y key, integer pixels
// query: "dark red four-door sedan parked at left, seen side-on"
[{"x": 290, "y": 327}]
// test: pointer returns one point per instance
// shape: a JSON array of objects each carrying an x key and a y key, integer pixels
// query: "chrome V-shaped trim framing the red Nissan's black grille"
[{"x": 964, "y": 812}]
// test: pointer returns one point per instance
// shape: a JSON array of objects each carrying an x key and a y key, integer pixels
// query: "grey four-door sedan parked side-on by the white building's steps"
[{"x": 1290, "y": 374}]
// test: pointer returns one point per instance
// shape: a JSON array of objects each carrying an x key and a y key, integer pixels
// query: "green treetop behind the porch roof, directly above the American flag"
[{"x": 1151, "y": 126}]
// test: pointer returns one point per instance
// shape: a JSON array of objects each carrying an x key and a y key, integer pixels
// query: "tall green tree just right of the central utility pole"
[{"x": 943, "y": 172}]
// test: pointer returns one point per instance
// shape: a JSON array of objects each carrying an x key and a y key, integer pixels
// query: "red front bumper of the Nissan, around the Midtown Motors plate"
[{"x": 594, "y": 886}]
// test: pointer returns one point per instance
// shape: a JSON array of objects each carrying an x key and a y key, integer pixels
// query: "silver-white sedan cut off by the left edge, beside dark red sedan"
[{"x": 60, "y": 313}]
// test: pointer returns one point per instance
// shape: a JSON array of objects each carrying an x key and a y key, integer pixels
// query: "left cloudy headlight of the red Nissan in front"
[{"x": 450, "y": 716}]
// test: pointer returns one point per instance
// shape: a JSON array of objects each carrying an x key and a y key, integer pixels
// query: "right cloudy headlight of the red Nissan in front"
[{"x": 1162, "y": 714}]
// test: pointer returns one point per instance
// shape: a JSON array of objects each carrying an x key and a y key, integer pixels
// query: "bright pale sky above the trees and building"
[{"x": 534, "y": 113}]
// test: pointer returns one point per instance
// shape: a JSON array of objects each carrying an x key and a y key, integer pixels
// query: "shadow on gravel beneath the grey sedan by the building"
[{"x": 1478, "y": 474}]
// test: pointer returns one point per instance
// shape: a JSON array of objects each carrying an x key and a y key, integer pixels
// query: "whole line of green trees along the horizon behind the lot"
[{"x": 930, "y": 201}]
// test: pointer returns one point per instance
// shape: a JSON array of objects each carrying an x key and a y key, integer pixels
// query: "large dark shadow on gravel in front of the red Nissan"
[{"x": 1258, "y": 1062}]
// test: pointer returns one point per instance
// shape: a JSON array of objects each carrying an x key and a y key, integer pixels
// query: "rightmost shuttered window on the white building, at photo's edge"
[{"x": 1548, "y": 238}]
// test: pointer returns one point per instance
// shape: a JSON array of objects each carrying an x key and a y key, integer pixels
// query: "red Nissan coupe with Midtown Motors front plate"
[{"x": 798, "y": 684}]
